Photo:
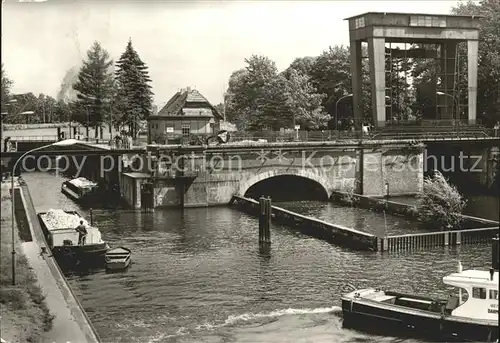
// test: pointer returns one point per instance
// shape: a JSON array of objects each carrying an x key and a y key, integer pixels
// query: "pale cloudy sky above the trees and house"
[{"x": 194, "y": 44}]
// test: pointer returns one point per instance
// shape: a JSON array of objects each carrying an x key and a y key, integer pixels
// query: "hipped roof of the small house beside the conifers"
[{"x": 188, "y": 99}]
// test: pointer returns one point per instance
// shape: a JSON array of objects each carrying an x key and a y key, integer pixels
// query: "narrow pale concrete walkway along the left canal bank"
[{"x": 70, "y": 324}]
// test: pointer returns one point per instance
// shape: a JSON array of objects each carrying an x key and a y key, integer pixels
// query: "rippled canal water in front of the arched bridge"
[{"x": 198, "y": 274}]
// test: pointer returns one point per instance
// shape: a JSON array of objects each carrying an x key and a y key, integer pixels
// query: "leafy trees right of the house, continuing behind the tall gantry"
[{"x": 306, "y": 93}]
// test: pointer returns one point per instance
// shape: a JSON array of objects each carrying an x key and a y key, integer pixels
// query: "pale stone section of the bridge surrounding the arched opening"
[{"x": 194, "y": 177}]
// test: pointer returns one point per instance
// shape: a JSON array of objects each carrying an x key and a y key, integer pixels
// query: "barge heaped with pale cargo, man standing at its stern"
[{"x": 59, "y": 228}]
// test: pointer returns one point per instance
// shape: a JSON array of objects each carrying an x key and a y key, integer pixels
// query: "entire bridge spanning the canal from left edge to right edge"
[{"x": 211, "y": 175}]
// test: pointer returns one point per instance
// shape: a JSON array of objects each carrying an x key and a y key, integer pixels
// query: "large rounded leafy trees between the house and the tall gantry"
[{"x": 259, "y": 98}]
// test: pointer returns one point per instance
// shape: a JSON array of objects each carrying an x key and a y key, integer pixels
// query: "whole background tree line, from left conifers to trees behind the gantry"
[{"x": 306, "y": 93}]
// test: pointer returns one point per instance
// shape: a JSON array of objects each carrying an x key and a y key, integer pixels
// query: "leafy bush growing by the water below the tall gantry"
[{"x": 440, "y": 204}]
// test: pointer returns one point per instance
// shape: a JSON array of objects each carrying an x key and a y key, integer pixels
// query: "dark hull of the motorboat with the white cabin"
[{"x": 432, "y": 326}]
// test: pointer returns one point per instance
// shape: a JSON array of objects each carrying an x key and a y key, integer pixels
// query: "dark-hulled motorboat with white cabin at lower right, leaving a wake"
[{"x": 469, "y": 316}]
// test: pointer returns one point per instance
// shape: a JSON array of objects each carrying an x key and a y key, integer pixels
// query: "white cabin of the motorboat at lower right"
[{"x": 480, "y": 300}]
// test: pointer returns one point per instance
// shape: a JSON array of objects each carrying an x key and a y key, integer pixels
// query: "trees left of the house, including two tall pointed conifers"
[{"x": 116, "y": 94}]
